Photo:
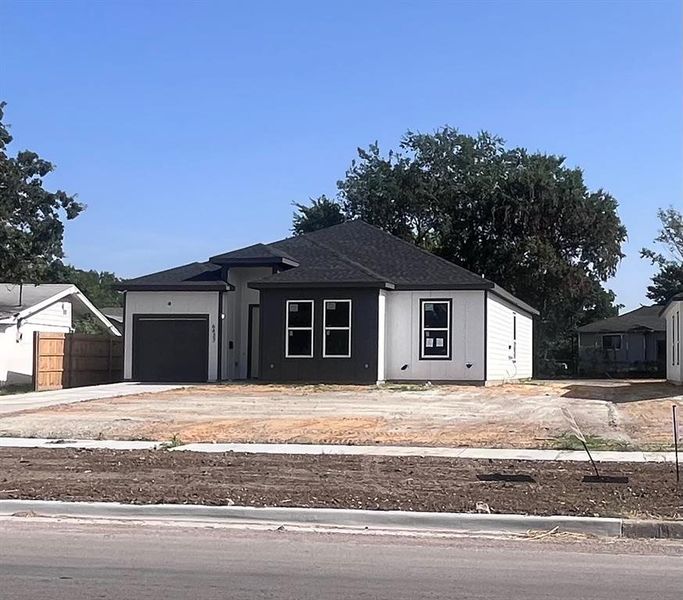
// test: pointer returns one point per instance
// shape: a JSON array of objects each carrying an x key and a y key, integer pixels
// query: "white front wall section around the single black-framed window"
[{"x": 402, "y": 337}]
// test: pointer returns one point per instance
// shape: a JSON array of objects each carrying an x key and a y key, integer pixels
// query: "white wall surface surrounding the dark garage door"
[{"x": 171, "y": 303}]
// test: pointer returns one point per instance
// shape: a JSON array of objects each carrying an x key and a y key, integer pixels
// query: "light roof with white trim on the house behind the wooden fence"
[{"x": 20, "y": 301}]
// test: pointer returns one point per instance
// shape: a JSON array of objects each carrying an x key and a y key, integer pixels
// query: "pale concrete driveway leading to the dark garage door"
[{"x": 33, "y": 400}]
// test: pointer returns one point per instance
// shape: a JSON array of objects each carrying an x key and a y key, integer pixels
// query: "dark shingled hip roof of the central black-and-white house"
[{"x": 350, "y": 254}]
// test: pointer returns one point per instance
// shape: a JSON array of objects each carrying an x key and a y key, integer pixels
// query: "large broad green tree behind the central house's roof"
[{"x": 524, "y": 220}]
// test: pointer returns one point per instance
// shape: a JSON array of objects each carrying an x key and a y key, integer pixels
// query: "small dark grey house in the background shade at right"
[{"x": 630, "y": 344}]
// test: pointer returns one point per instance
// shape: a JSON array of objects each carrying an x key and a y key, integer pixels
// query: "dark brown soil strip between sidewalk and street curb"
[{"x": 376, "y": 483}]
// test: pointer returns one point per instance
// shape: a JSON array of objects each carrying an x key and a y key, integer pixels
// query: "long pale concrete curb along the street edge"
[{"x": 323, "y": 517}]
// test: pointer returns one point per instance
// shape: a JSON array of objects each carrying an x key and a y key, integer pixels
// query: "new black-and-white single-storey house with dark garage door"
[{"x": 349, "y": 303}]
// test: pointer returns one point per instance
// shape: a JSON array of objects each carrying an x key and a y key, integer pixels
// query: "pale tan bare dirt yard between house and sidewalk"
[{"x": 618, "y": 415}]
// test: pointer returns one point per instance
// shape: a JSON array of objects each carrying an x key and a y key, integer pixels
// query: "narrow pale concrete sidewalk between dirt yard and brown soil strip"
[{"x": 342, "y": 450}]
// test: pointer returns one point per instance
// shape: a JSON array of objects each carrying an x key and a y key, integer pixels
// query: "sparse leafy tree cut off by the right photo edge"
[{"x": 669, "y": 280}]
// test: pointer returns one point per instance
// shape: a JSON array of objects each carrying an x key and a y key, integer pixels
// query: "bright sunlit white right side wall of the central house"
[{"x": 500, "y": 363}]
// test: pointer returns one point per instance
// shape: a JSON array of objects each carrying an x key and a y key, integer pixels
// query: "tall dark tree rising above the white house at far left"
[{"x": 31, "y": 228}]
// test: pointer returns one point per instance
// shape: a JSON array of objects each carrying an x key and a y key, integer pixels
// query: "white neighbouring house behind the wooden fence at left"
[{"x": 27, "y": 308}]
